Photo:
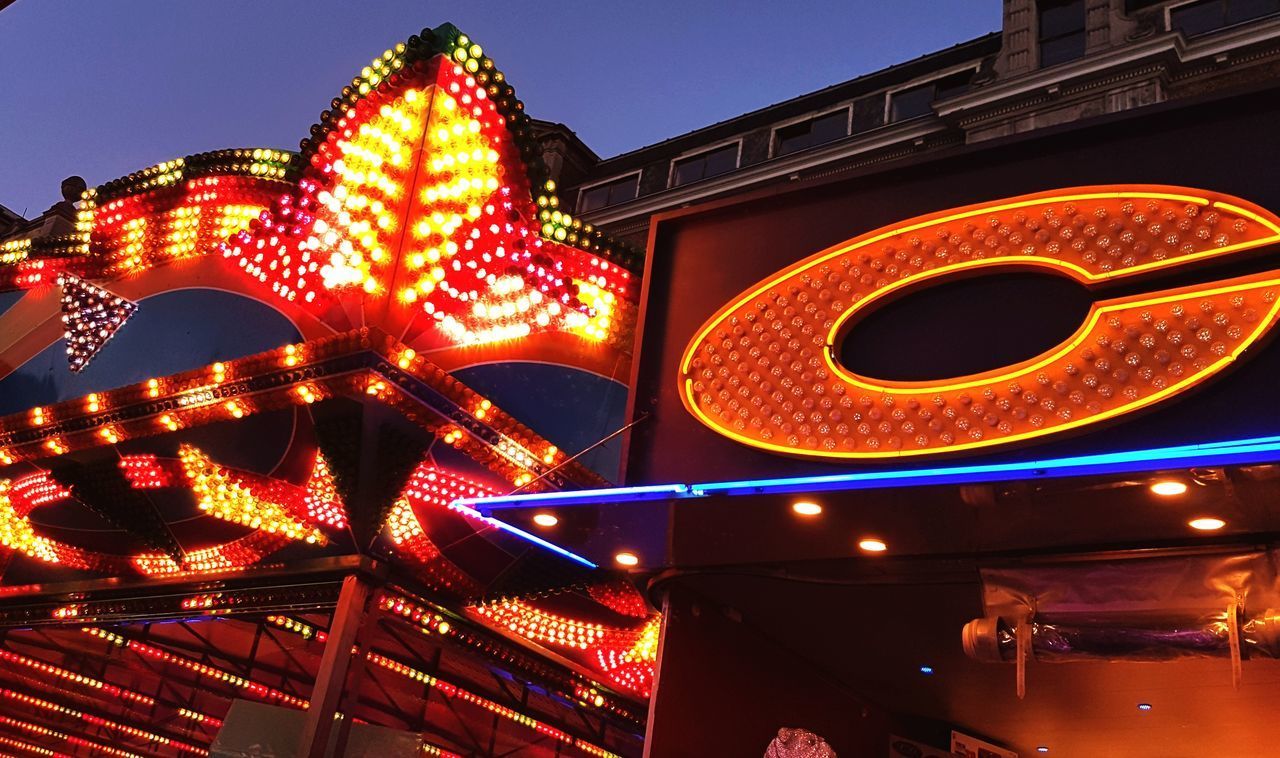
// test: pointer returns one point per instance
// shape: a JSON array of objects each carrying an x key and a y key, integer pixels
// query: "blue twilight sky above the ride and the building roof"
[{"x": 102, "y": 89}]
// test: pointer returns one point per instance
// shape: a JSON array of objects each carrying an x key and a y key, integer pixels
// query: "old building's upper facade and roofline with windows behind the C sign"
[{"x": 1053, "y": 63}]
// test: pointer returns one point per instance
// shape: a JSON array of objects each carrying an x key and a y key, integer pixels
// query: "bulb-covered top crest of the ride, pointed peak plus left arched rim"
[{"x": 479, "y": 199}]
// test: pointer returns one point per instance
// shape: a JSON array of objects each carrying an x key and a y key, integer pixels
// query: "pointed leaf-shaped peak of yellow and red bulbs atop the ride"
[{"x": 417, "y": 211}]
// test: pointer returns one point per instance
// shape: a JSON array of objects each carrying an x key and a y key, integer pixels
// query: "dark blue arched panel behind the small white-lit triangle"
[{"x": 172, "y": 332}]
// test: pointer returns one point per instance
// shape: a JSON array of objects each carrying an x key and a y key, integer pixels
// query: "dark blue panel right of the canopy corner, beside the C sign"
[{"x": 572, "y": 408}]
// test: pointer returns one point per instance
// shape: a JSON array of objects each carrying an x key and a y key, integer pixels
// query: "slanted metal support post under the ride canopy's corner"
[{"x": 335, "y": 664}]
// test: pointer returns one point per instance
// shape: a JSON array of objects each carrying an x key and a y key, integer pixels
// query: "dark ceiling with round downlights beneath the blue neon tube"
[{"x": 875, "y": 620}]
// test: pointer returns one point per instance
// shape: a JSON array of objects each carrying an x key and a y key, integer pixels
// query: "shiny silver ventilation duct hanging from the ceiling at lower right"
[{"x": 1196, "y": 605}]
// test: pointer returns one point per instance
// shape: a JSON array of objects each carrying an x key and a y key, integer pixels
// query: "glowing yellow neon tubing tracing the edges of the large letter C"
[{"x": 1098, "y": 312}]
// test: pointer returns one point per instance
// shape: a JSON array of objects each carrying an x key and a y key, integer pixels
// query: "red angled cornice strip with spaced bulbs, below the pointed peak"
[{"x": 364, "y": 363}]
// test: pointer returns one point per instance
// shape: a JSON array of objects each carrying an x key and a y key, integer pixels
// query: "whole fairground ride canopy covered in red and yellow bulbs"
[{"x": 296, "y": 394}]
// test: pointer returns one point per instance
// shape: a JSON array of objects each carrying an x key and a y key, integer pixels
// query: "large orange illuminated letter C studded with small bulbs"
[{"x": 762, "y": 371}]
